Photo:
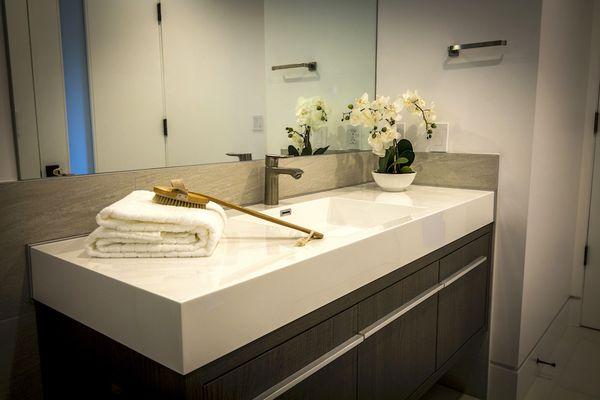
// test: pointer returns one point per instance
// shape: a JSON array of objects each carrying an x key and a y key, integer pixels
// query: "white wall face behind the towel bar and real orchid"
[{"x": 488, "y": 97}]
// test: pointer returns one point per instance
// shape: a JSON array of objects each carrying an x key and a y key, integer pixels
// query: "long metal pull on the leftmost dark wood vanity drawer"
[{"x": 310, "y": 369}]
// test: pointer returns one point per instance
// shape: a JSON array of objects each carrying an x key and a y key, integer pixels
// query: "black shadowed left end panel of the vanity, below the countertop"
[{"x": 80, "y": 363}]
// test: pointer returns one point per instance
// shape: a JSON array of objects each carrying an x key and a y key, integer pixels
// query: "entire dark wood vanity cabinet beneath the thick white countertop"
[{"x": 391, "y": 339}]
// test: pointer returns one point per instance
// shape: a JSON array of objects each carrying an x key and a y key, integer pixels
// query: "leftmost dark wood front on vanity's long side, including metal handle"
[{"x": 318, "y": 363}]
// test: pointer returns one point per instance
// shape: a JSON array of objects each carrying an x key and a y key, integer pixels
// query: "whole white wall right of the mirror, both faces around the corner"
[{"x": 532, "y": 102}]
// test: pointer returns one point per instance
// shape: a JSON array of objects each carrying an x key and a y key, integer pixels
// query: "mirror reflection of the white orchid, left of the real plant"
[{"x": 311, "y": 115}]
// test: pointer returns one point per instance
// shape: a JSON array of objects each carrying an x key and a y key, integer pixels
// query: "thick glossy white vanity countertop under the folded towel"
[{"x": 184, "y": 313}]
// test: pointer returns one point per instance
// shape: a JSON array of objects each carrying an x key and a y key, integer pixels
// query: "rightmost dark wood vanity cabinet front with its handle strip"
[{"x": 462, "y": 303}]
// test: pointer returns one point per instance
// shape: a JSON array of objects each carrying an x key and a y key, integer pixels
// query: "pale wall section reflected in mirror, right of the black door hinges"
[{"x": 214, "y": 78}]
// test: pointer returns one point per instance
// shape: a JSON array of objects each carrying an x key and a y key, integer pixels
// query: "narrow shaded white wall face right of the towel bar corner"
[{"x": 557, "y": 138}]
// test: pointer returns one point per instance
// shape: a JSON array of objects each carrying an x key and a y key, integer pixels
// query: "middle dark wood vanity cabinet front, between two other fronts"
[{"x": 395, "y": 360}]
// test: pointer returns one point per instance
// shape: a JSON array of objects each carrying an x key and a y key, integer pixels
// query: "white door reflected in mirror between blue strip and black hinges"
[{"x": 126, "y": 89}]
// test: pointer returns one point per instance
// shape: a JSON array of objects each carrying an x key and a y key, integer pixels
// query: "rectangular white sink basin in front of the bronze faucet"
[{"x": 336, "y": 216}]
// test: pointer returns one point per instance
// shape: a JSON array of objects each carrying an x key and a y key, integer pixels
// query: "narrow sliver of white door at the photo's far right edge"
[{"x": 590, "y": 315}]
